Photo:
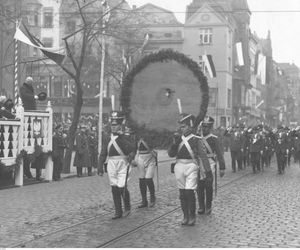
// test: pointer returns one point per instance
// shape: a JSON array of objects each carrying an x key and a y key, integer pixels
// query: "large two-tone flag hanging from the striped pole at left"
[{"x": 26, "y": 37}]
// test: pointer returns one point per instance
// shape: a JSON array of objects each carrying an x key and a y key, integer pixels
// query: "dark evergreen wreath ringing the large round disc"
[{"x": 161, "y": 139}]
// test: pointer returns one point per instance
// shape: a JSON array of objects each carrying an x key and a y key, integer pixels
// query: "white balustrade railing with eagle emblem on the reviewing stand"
[{"x": 30, "y": 128}]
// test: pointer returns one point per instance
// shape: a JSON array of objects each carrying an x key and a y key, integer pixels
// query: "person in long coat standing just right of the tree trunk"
[{"x": 82, "y": 155}]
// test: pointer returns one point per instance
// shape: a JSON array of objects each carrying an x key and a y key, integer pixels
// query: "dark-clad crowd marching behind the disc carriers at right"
[{"x": 256, "y": 145}]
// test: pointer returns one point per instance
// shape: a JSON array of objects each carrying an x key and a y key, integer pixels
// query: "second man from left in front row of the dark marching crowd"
[{"x": 256, "y": 147}]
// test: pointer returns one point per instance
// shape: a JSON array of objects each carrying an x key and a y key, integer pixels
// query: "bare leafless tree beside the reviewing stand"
[{"x": 83, "y": 47}]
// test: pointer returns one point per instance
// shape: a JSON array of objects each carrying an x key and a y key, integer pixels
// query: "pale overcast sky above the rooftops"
[{"x": 281, "y": 17}]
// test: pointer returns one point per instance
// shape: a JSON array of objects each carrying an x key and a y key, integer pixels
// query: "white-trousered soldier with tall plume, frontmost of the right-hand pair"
[{"x": 191, "y": 161}]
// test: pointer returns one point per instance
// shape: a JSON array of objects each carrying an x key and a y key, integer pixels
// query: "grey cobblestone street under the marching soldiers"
[{"x": 260, "y": 210}]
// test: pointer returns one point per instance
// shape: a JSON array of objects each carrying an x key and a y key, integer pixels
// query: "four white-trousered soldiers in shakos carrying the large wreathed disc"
[{"x": 196, "y": 151}]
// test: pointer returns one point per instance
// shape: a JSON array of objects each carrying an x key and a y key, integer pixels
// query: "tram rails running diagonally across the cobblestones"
[{"x": 131, "y": 231}]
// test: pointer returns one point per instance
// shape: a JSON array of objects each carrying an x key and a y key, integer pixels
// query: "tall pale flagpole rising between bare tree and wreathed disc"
[{"x": 101, "y": 85}]
